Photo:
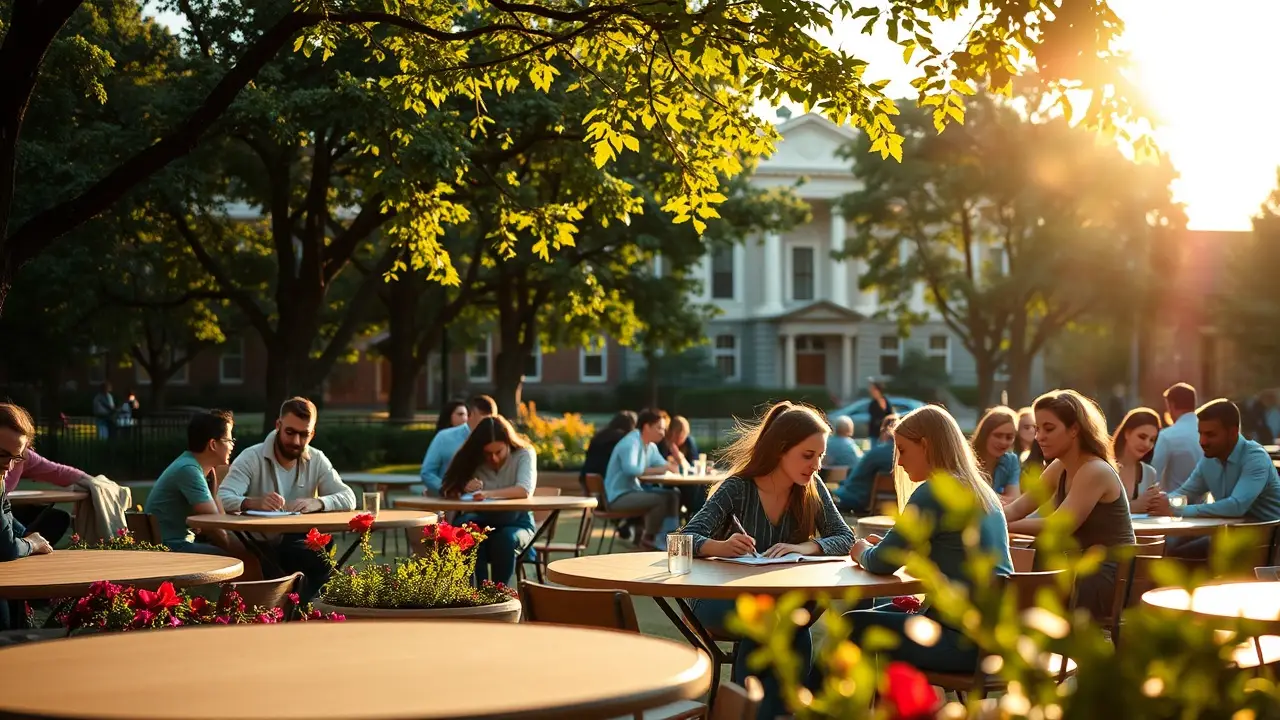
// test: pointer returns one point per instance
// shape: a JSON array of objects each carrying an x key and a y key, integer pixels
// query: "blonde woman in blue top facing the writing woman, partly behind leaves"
[{"x": 930, "y": 444}]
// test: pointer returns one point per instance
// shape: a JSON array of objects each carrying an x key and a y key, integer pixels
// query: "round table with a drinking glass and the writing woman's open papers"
[{"x": 646, "y": 575}]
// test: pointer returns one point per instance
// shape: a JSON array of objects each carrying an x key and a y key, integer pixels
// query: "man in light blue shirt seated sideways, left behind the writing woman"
[{"x": 634, "y": 455}]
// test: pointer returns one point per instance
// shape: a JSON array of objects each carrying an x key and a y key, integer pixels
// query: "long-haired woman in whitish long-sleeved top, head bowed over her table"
[{"x": 495, "y": 463}]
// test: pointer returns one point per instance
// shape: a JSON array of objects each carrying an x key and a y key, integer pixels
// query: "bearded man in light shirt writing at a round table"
[{"x": 286, "y": 475}]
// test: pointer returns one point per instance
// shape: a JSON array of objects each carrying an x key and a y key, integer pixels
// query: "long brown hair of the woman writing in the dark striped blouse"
[{"x": 758, "y": 449}]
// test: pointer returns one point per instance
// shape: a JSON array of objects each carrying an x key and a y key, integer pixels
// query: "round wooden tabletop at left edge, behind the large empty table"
[{"x": 66, "y": 573}]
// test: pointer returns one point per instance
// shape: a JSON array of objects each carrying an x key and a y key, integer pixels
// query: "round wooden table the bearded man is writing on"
[{"x": 246, "y": 527}]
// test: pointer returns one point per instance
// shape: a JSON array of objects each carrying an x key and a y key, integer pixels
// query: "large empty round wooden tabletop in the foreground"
[{"x": 376, "y": 671}]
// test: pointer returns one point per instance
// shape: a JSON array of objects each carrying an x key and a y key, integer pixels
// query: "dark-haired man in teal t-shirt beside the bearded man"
[{"x": 182, "y": 491}]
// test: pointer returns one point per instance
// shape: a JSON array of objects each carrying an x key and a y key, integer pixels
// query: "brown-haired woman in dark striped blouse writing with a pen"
[{"x": 775, "y": 495}]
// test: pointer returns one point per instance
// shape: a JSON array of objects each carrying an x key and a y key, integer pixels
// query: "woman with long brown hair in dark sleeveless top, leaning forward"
[{"x": 1085, "y": 486}]
